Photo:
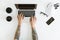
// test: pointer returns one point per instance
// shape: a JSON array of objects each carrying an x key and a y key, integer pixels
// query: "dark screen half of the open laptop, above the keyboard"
[{"x": 25, "y": 6}]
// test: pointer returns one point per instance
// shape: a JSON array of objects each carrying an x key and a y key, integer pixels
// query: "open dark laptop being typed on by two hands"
[{"x": 26, "y": 9}]
